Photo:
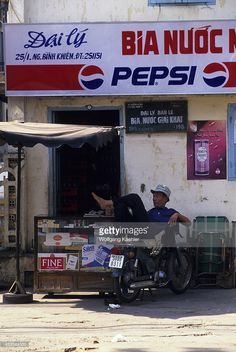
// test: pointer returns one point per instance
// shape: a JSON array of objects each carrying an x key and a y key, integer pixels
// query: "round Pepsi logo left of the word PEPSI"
[{"x": 91, "y": 77}]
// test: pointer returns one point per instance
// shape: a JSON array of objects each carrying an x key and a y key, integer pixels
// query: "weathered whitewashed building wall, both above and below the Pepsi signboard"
[{"x": 148, "y": 160}]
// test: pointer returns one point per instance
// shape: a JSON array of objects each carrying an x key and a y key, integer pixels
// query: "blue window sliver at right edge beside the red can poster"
[{"x": 232, "y": 142}]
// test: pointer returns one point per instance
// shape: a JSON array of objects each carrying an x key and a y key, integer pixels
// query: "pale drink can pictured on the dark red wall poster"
[{"x": 201, "y": 151}]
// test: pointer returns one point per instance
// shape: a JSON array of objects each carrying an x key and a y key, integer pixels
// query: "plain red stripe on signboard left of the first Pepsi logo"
[{"x": 43, "y": 77}]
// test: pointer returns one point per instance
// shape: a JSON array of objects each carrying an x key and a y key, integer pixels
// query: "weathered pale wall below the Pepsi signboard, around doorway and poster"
[{"x": 162, "y": 160}]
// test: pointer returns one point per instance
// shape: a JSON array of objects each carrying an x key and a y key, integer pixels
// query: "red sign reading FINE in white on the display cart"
[{"x": 52, "y": 261}]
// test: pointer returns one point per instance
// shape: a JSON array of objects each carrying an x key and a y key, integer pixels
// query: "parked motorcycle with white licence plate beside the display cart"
[{"x": 173, "y": 268}]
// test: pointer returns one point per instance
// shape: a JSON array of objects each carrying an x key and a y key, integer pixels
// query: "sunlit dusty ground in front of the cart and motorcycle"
[{"x": 200, "y": 320}]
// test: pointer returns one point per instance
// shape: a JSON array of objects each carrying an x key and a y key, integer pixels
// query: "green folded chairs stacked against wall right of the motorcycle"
[{"x": 213, "y": 249}]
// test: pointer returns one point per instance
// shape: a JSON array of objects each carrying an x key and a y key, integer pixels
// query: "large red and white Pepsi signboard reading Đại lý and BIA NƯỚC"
[{"x": 182, "y": 57}]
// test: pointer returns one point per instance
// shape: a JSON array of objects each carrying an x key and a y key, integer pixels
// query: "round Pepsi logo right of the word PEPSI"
[{"x": 216, "y": 74}]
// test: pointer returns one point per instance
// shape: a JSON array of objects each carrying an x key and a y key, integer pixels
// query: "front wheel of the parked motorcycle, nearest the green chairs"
[{"x": 180, "y": 277}]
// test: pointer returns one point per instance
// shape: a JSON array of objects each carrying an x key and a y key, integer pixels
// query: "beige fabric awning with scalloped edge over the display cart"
[{"x": 54, "y": 135}]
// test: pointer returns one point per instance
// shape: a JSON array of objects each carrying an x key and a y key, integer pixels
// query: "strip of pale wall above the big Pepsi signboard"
[{"x": 113, "y": 10}]
